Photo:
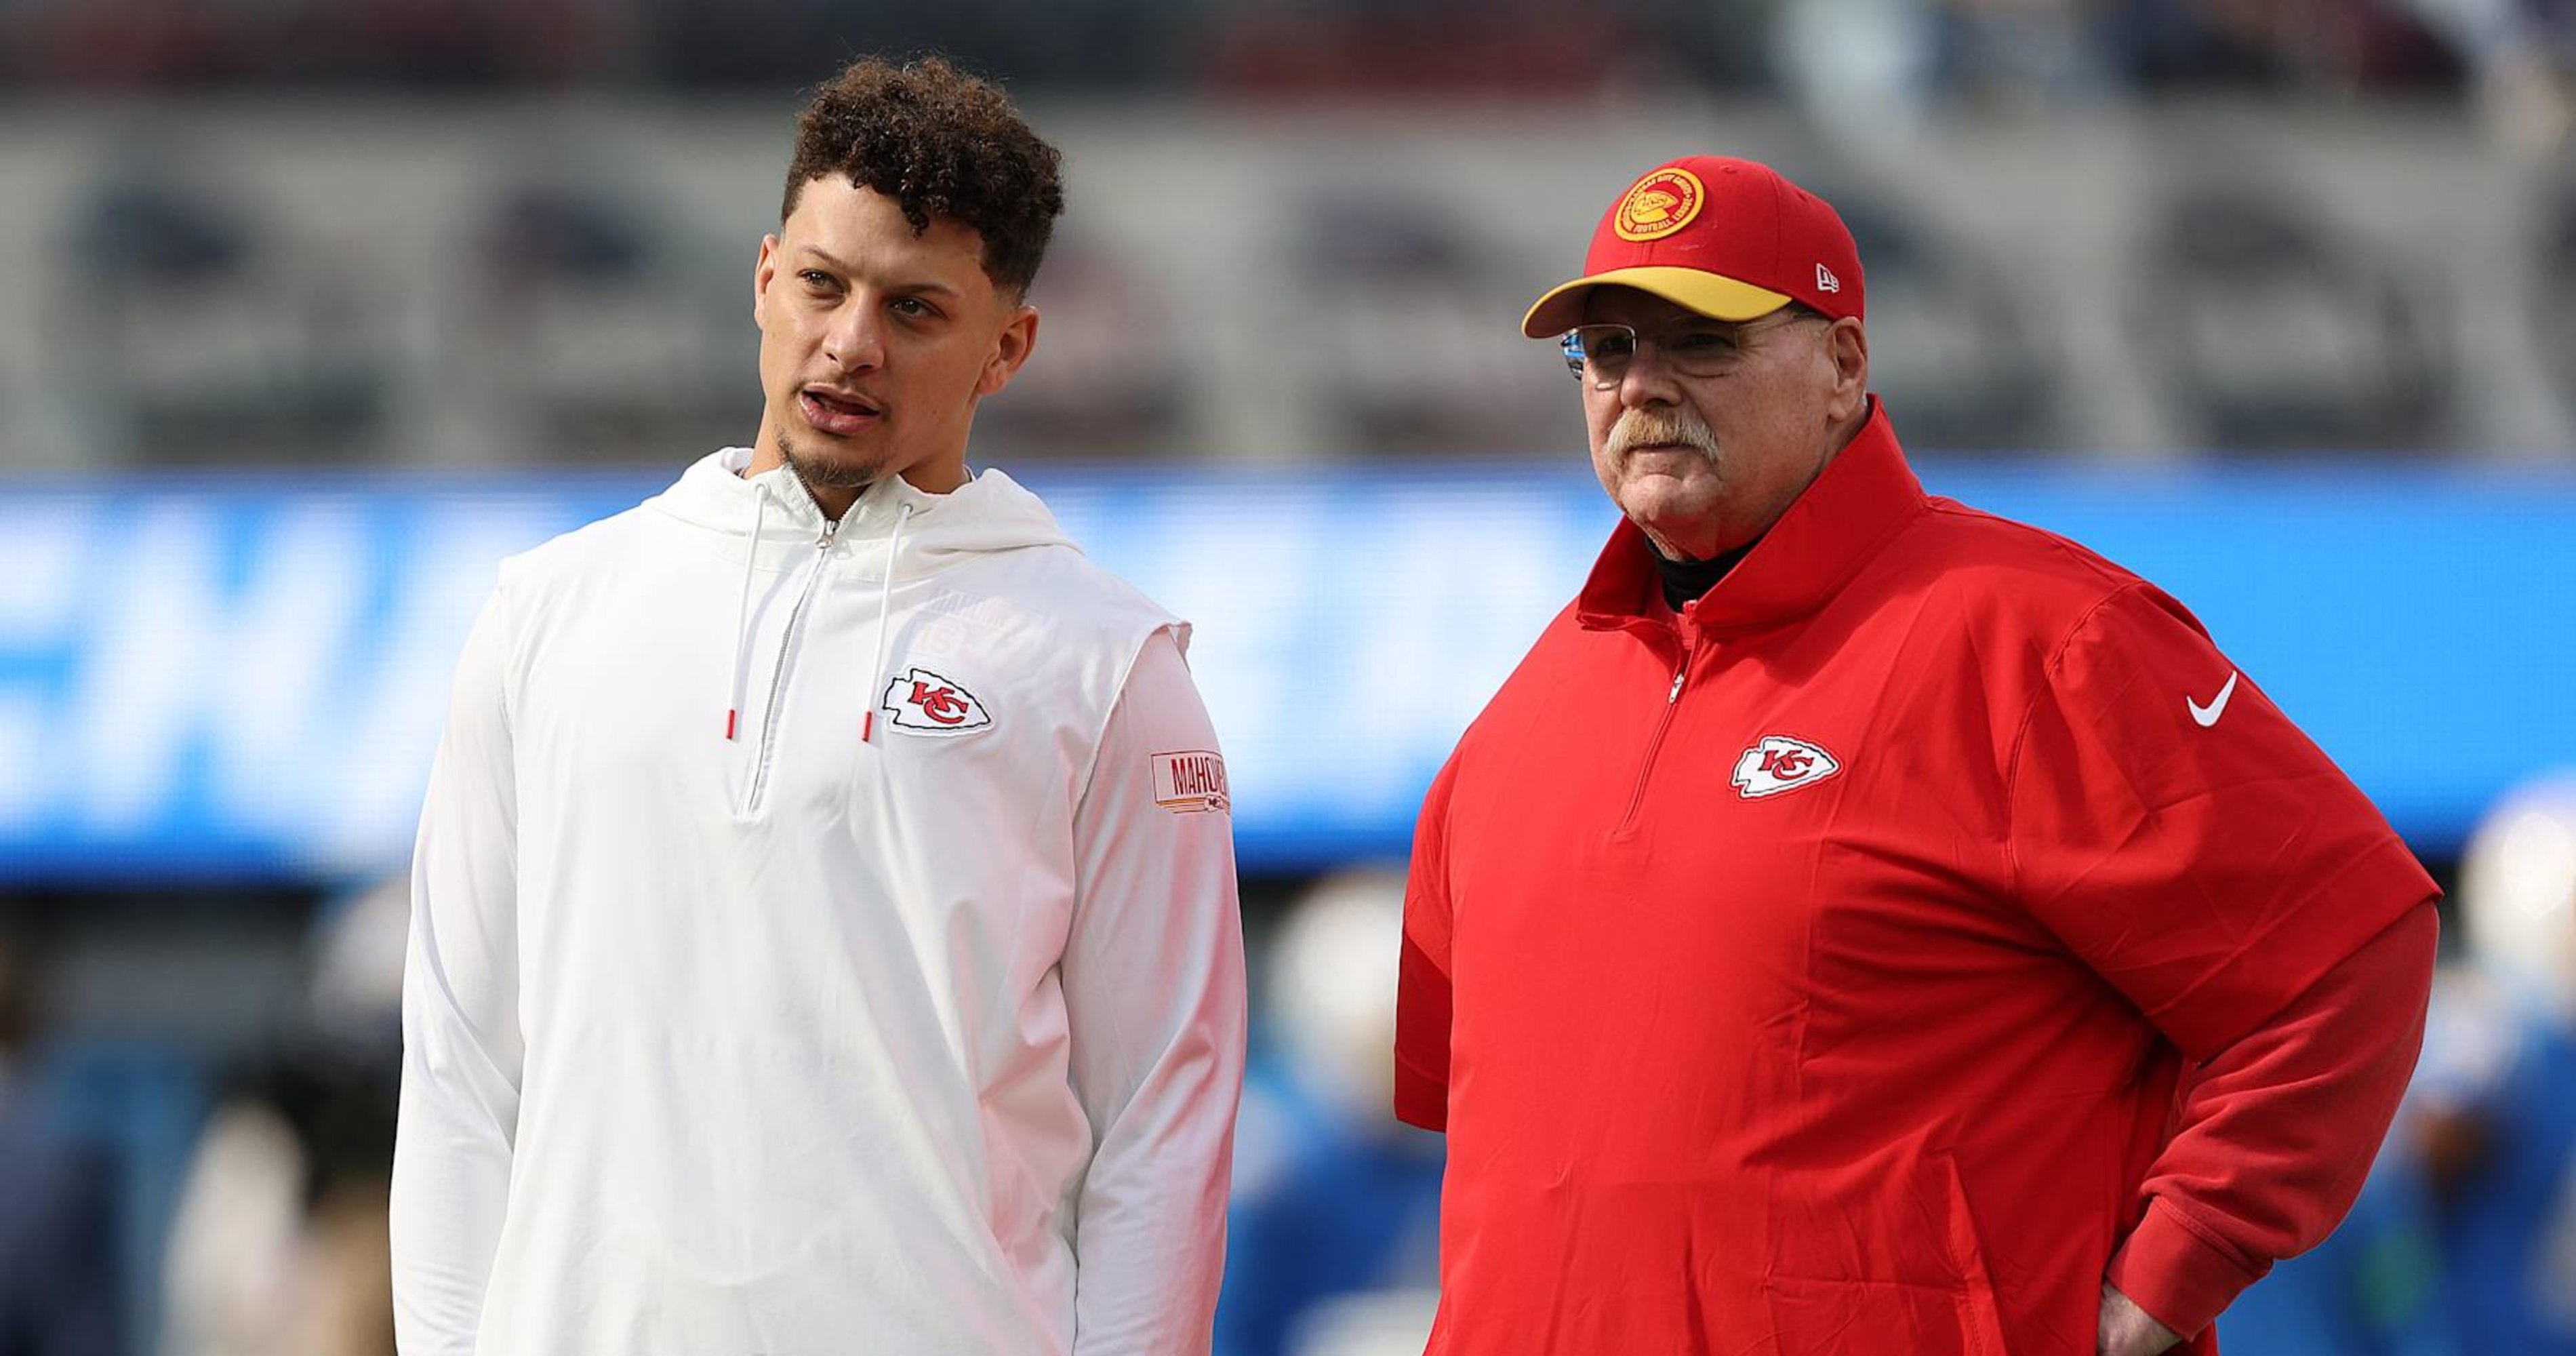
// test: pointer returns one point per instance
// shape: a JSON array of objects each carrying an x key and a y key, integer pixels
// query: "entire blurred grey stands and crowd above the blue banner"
[{"x": 2134, "y": 231}]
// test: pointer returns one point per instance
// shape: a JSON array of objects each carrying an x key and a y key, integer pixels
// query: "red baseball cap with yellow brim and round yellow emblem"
[{"x": 1727, "y": 238}]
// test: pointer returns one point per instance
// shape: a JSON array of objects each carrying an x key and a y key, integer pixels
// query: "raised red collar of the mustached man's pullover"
[{"x": 1825, "y": 538}]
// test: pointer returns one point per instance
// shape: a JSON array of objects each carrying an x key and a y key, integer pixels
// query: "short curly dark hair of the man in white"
[{"x": 939, "y": 143}]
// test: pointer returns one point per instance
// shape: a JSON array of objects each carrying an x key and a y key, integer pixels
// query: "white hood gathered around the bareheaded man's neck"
[{"x": 983, "y": 517}]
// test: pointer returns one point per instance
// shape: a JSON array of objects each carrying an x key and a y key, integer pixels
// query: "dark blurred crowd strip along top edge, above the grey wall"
[{"x": 2005, "y": 50}]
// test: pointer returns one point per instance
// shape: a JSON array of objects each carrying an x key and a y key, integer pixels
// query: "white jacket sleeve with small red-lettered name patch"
[{"x": 1155, "y": 996}]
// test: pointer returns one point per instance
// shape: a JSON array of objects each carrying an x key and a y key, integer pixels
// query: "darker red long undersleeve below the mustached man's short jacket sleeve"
[{"x": 2278, "y": 1133}]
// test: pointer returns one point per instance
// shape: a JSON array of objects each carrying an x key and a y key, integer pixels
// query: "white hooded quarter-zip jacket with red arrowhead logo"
[{"x": 823, "y": 942}]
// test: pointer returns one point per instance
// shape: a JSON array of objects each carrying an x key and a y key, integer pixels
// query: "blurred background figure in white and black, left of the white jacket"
[{"x": 279, "y": 1244}]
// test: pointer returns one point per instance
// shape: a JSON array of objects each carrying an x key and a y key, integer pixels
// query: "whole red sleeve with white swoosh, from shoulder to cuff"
[{"x": 2209, "y": 862}]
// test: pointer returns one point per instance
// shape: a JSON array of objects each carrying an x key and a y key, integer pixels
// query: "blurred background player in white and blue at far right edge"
[{"x": 2500, "y": 1081}]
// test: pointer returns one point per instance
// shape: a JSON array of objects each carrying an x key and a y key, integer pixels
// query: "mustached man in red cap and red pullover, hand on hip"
[{"x": 1866, "y": 924}]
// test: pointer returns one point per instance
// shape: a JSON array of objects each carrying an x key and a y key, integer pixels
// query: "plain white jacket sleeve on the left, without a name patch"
[{"x": 460, "y": 1017}]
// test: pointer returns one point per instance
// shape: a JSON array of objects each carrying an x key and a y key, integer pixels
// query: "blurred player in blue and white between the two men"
[{"x": 1333, "y": 1231}]
